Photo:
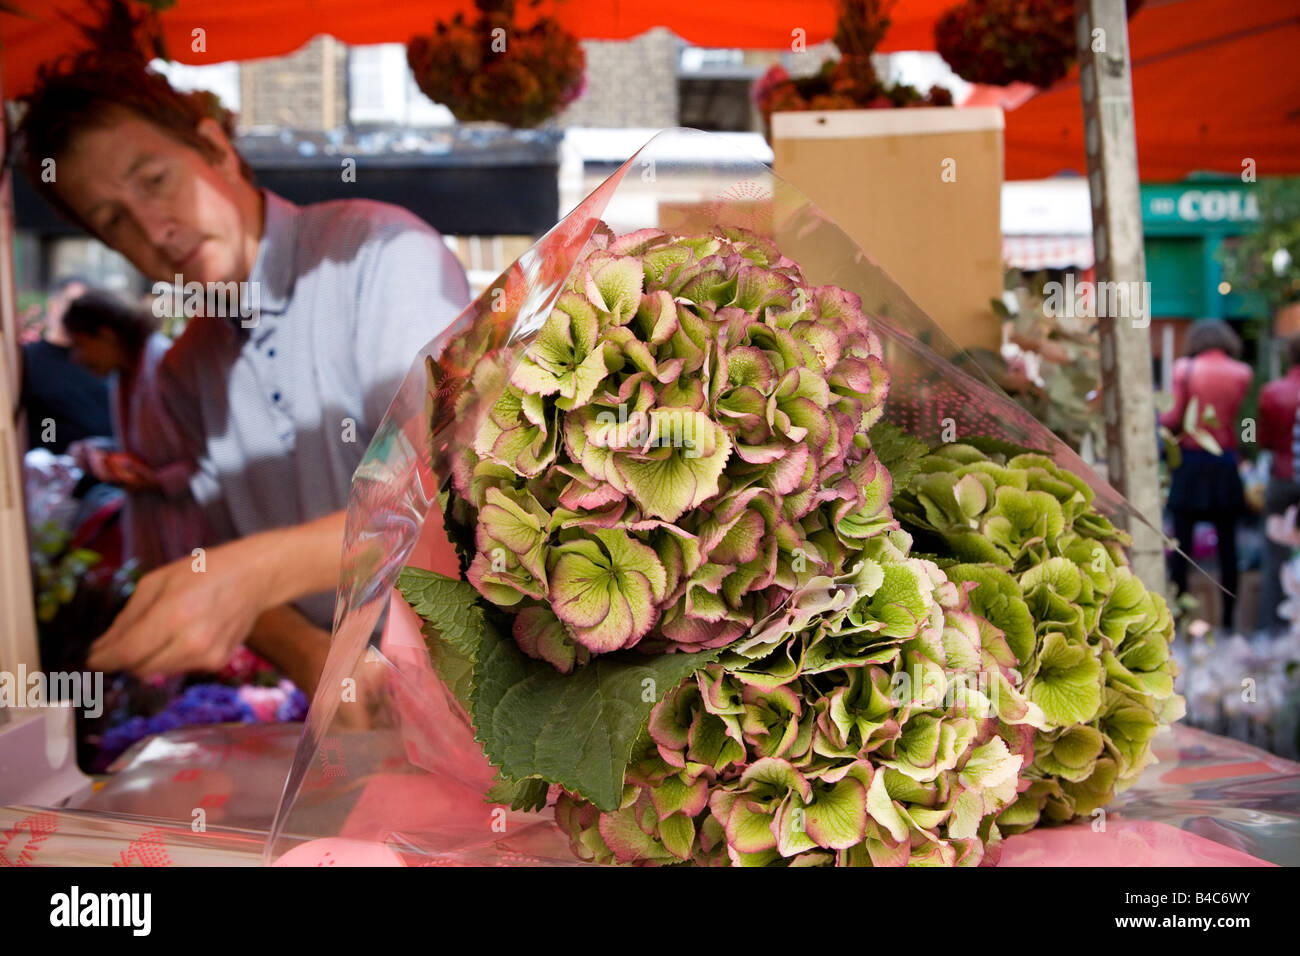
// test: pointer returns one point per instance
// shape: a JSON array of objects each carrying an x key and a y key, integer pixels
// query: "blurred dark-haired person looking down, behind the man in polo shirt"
[{"x": 112, "y": 339}]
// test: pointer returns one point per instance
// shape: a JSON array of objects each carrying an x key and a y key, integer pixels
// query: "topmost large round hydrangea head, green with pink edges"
[{"x": 669, "y": 457}]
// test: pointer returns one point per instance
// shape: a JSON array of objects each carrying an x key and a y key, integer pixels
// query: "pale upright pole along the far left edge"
[{"x": 18, "y": 615}]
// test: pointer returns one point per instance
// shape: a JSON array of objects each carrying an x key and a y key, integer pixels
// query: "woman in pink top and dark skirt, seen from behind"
[{"x": 1208, "y": 487}]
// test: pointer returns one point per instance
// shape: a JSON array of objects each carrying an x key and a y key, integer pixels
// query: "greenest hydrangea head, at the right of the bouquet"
[{"x": 1093, "y": 641}]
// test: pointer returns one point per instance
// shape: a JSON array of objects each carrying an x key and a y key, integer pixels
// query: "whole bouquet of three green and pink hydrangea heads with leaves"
[{"x": 726, "y": 598}]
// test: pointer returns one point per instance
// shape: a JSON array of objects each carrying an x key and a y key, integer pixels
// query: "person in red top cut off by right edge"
[{"x": 1279, "y": 404}]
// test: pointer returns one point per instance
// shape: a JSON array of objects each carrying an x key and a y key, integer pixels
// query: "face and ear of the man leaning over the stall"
[{"x": 161, "y": 204}]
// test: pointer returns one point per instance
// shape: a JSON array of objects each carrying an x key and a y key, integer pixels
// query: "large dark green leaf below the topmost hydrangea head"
[{"x": 575, "y": 730}]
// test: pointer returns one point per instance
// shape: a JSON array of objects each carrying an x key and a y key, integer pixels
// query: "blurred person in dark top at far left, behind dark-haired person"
[{"x": 63, "y": 401}]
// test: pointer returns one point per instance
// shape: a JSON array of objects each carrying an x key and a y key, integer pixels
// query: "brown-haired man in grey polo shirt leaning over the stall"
[{"x": 285, "y": 404}]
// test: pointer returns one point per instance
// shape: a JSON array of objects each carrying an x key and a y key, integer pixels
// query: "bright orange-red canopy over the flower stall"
[{"x": 1215, "y": 81}]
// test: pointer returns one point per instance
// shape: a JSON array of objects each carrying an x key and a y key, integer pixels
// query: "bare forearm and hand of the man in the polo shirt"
[{"x": 183, "y": 620}]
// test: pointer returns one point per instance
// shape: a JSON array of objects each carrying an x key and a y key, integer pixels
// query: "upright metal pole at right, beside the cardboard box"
[{"x": 1121, "y": 296}]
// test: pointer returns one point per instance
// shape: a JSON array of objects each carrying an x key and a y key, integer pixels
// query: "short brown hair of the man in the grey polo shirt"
[{"x": 89, "y": 90}]
